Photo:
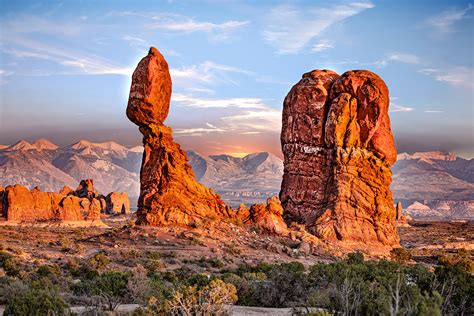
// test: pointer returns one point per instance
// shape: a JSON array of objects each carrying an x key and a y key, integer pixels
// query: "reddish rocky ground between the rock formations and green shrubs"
[{"x": 207, "y": 248}]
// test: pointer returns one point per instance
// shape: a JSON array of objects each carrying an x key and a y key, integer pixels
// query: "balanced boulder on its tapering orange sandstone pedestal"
[{"x": 169, "y": 193}]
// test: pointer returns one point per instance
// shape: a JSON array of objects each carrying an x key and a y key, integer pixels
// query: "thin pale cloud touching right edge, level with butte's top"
[{"x": 457, "y": 76}]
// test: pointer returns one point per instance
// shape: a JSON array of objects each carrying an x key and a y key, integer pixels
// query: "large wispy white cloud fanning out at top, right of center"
[{"x": 290, "y": 29}]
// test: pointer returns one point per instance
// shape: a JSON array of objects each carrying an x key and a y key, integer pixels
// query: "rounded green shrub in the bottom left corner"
[{"x": 40, "y": 298}]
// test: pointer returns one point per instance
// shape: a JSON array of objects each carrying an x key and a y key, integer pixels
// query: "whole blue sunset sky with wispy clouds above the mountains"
[{"x": 65, "y": 67}]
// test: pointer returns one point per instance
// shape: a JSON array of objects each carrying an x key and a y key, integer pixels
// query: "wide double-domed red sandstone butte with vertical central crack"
[{"x": 338, "y": 148}]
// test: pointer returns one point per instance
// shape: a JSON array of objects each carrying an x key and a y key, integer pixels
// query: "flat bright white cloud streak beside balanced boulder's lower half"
[{"x": 195, "y": 102}]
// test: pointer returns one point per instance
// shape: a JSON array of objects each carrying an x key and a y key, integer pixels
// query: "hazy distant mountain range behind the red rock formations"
[{"x": 431, "y": 185}]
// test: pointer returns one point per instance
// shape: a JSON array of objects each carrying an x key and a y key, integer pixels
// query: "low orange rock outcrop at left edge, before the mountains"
[{"x": 19, "y": 204}]
